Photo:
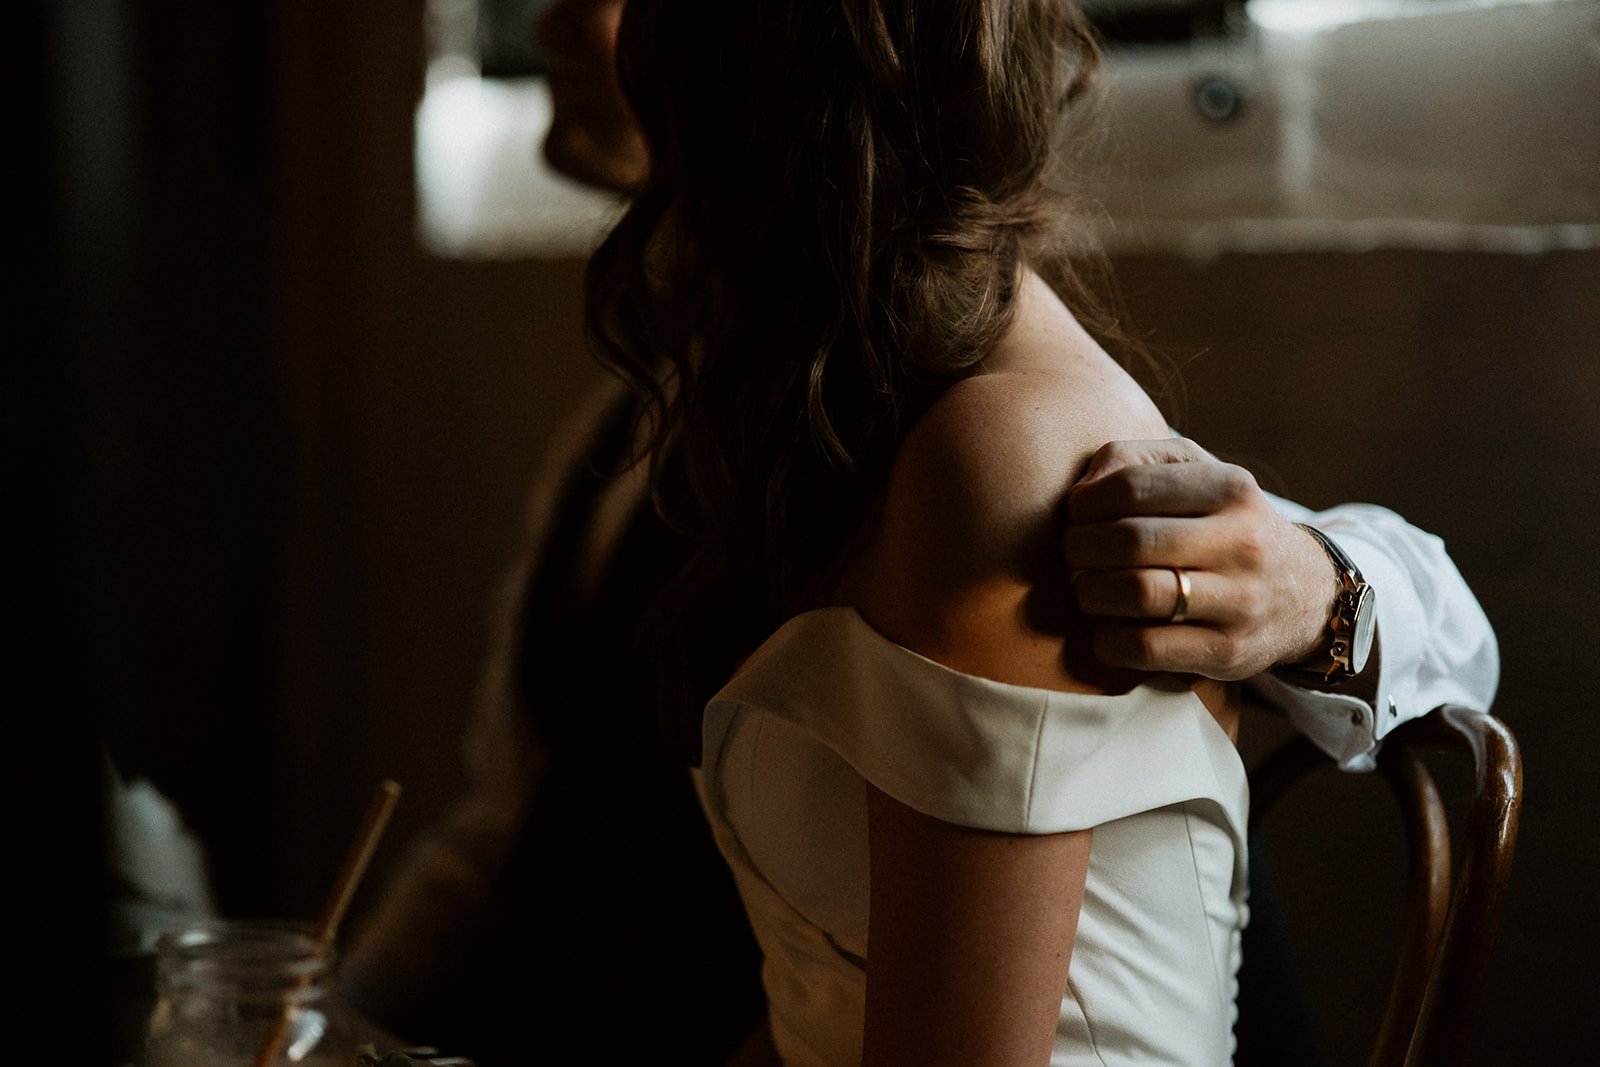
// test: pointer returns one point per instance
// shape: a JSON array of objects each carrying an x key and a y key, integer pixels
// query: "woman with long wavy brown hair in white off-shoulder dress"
[{"x": 868, "y": 391}]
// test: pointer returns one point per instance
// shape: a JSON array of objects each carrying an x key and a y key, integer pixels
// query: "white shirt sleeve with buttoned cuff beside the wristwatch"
[{"x": 1434, "y": 644}]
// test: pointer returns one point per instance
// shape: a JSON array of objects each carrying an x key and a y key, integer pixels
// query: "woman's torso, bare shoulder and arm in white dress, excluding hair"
[{"x": 937, "y": 762}]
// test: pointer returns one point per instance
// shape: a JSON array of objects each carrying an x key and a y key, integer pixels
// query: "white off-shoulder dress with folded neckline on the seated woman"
[{"x": 830, "y": 703}]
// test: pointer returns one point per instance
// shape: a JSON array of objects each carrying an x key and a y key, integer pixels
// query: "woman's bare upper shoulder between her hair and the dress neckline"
[{"x": 964, "y": 565}]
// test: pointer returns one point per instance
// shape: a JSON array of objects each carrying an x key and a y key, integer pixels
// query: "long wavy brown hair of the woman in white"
[{"x": 841, "y": 201}]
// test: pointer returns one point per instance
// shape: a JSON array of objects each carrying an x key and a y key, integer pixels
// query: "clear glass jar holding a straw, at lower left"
[{"x": 233, "y": 993}]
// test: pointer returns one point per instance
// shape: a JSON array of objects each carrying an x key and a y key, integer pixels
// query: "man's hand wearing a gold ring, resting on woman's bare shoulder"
[{"x": 1260, "y": 588}]
